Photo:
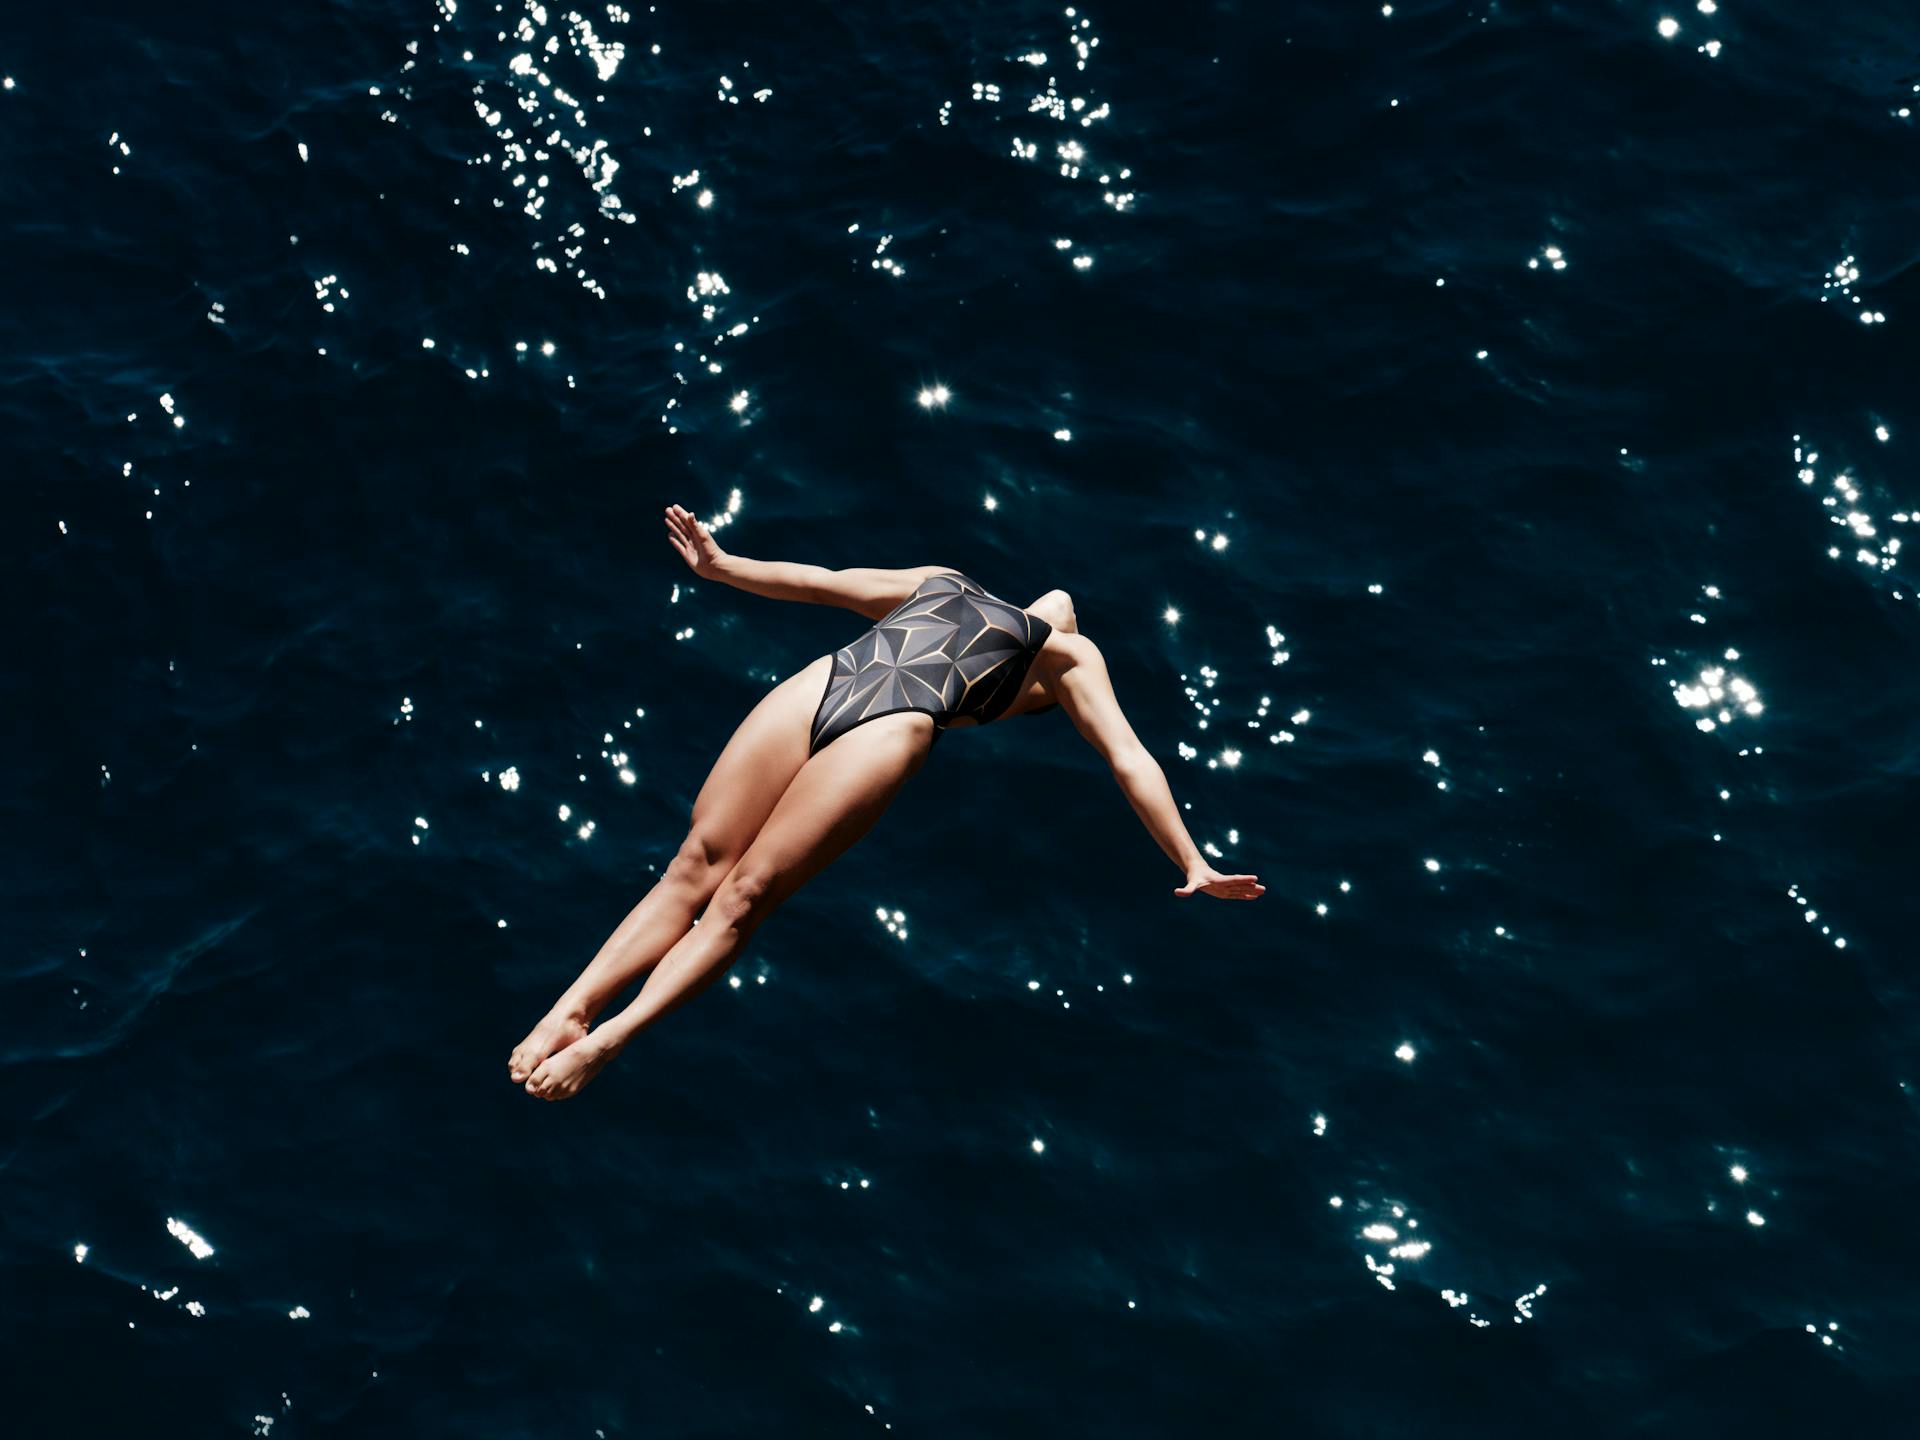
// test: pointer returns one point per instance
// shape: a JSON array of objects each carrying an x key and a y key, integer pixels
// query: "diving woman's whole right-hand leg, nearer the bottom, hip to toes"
[{"x": 836, "y": 798}]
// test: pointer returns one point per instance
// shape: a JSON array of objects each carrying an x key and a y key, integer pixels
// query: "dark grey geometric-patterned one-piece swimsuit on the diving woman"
[{"x": 949, "y": 650}]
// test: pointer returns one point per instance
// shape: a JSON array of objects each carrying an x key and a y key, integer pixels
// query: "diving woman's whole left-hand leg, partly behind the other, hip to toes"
[{"x": 754, "y": 771}]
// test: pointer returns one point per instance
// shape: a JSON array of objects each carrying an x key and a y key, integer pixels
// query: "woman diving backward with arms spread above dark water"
[{"x": 817, "y": 761}]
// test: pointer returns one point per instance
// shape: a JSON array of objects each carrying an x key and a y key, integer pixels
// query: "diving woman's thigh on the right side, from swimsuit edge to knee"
[{"x": 832, "y": 802}]
